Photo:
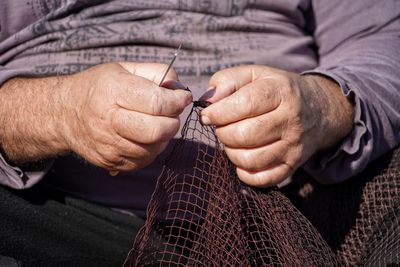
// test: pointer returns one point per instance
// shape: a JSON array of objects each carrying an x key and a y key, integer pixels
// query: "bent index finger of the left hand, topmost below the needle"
[{"x": 141, "y": 95}]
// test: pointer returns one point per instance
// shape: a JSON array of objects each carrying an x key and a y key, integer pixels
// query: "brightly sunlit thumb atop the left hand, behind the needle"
[{"x": 151, "y": 71}]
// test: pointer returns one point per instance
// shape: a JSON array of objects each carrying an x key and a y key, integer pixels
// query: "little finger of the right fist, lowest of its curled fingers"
[{"x": 265, "y": 178}]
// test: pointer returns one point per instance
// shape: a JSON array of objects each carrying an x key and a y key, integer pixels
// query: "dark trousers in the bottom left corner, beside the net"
[{"x": 40, "y": 227}]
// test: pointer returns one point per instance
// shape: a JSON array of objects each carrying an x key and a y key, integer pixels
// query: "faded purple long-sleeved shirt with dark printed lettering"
[{"x": 354, "y": 42}]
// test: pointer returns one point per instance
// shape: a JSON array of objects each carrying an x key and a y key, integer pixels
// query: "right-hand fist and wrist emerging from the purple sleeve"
[{"x": 272, "y": 121}]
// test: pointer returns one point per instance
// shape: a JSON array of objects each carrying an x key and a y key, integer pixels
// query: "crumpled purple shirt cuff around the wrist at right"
[{"x": 343, "y": 160}]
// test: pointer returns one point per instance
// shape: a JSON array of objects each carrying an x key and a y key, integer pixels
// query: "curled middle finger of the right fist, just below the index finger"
[{"x": 253, "y": 132}]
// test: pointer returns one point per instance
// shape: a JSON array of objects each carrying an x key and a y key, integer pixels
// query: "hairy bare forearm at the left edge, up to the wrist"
[{"x": 31, "y": 116}]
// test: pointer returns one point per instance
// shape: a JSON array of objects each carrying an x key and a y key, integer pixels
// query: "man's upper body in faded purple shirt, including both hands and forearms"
[{"x": 271, "y": 119}]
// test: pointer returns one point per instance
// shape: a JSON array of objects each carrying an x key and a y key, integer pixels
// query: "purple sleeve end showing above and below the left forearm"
[{"x": 14, "y": 176}]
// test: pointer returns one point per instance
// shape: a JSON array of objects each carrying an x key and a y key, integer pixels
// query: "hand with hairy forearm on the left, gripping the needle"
[{"x": 114, "y": 115}]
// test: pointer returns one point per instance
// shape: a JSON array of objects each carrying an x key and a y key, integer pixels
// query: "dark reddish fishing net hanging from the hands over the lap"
[{"x": 204, "y": 215}]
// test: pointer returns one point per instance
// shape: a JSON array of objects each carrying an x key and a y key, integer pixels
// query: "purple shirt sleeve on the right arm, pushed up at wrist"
[{"x": 359, "y": 47}]
